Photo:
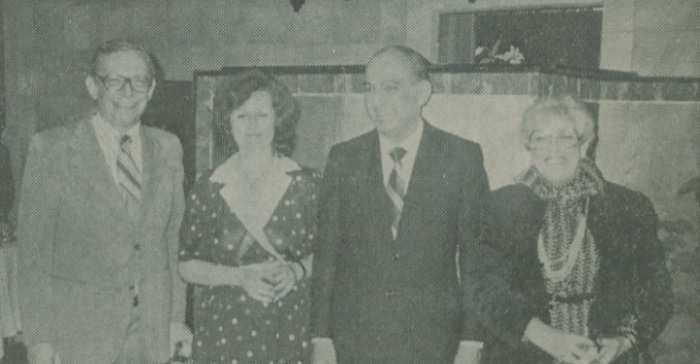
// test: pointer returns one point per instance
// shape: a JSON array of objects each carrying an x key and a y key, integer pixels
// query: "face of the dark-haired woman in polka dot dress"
[{"x": 253, "y": 123}]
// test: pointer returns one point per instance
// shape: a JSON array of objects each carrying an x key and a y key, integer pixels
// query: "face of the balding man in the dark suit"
[{"x": 393, "y": 96}]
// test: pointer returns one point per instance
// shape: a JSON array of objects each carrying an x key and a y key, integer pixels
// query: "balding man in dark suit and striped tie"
[{"x": 400, "y": 211}]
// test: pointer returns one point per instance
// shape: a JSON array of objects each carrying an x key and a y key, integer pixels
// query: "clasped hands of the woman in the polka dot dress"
[{"x": 269, "y": 282}]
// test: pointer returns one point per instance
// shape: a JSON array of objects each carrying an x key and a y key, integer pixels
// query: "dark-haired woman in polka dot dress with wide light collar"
[{"x": 248, "y": 230}]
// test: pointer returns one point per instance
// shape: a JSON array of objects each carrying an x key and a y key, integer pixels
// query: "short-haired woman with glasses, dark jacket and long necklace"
[{"x": 573, "y": 269}]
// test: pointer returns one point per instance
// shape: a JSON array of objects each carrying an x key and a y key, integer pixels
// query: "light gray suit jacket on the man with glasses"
[{"x": 81, "y": 251}]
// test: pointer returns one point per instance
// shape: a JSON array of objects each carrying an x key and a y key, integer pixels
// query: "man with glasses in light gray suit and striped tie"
[{"x": 100, "y": 209}]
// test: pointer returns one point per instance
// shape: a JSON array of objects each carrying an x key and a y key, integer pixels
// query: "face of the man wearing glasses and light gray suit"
[{"x": 122, "y": 107}]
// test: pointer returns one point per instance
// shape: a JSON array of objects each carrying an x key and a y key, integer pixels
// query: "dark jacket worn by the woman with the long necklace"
[{"x": 632, "y": 277}]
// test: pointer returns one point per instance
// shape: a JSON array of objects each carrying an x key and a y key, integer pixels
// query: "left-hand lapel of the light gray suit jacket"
[{"x": 89, "y": 161}]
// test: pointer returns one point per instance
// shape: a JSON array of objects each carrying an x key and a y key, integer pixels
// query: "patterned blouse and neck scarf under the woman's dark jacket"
[{"x": 565, "y": 204}]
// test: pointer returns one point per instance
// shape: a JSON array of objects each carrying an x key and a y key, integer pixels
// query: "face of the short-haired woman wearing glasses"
[{"x": 556, "y": 149}]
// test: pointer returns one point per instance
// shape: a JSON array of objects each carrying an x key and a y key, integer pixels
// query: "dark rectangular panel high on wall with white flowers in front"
[{"x": 544, "y": 36}]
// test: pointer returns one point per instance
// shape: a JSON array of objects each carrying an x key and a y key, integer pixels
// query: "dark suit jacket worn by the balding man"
[{"x": 386, "y": 301}]
